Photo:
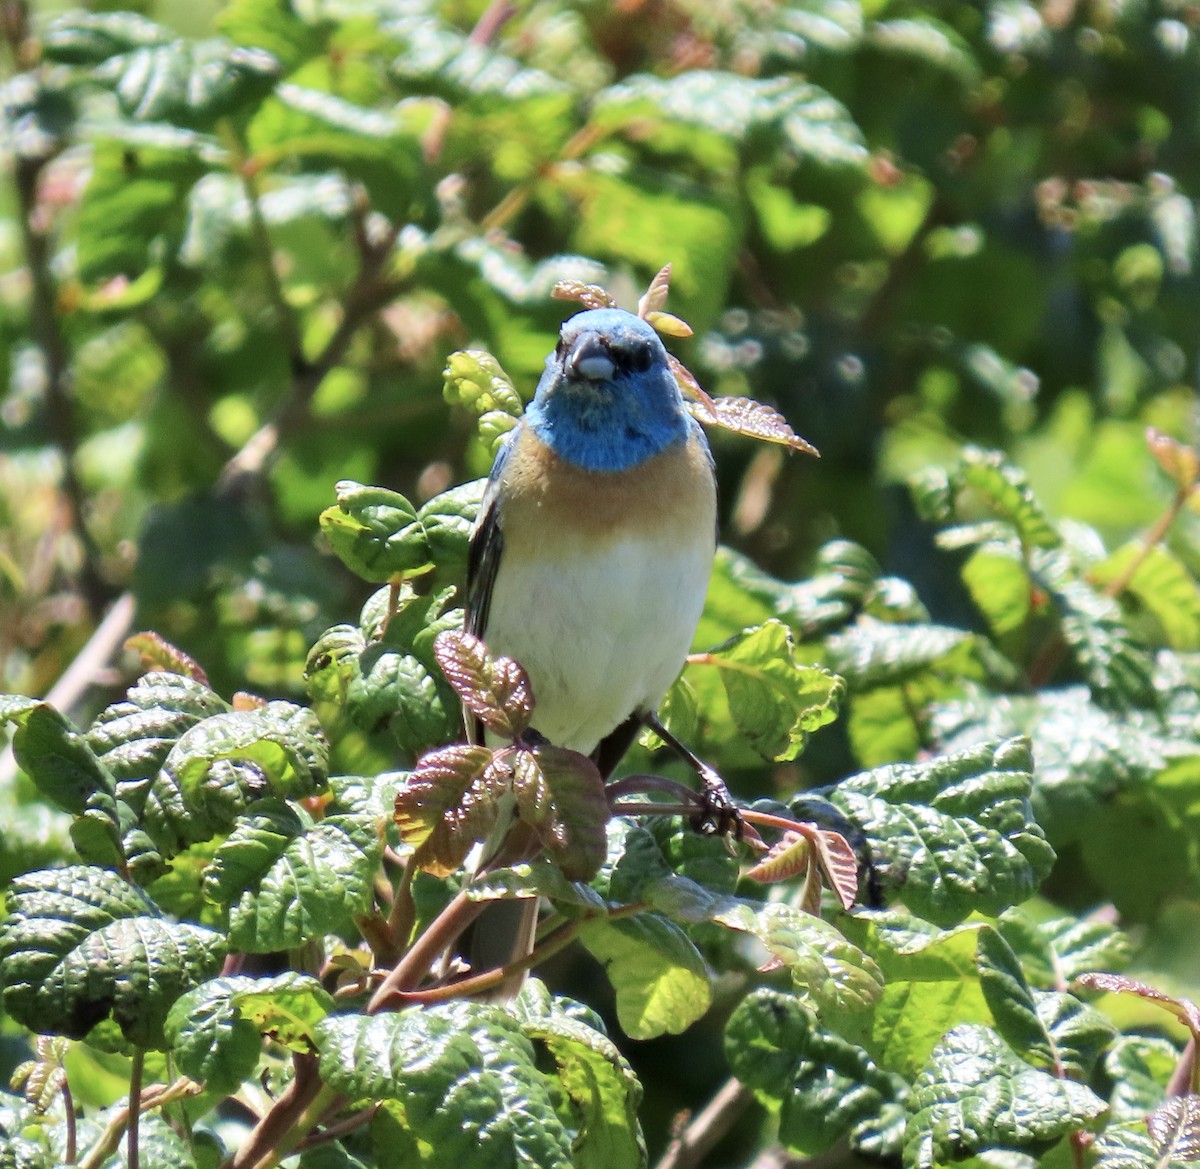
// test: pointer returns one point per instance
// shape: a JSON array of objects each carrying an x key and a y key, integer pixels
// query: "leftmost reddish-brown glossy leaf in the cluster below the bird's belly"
[{"x": 448, "y": 804}]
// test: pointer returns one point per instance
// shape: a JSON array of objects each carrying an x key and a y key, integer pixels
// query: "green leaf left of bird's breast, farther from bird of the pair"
[{"x": 376, "y": 533}]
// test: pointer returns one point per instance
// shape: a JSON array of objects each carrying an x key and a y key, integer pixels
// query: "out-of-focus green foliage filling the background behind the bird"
[{"x": 238, "y": 243}]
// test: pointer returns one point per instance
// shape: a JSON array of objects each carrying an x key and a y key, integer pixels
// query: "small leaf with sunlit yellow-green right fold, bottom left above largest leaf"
[{"x": 217, "y": 1032}]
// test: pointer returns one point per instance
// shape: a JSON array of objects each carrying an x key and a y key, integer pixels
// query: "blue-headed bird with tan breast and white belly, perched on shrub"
[{"x": 591, "y": 556}]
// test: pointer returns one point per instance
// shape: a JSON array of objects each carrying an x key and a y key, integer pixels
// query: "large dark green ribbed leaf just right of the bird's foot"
[{"x": 957, "y": 832}]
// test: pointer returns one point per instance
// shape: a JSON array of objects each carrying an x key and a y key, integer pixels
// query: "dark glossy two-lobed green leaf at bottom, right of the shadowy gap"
[{"x": 823, "y": 1087}]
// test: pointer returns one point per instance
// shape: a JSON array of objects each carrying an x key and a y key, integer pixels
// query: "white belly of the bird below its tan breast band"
[{"x": 603, "y": 628}]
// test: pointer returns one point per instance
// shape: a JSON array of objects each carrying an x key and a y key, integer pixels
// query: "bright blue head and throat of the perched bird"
[{"x": 608, "y": 400}]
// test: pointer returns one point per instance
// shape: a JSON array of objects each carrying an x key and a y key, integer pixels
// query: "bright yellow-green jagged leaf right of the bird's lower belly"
[{"x": 776, "y": 703}]
